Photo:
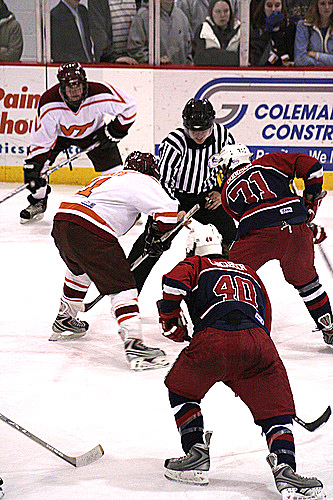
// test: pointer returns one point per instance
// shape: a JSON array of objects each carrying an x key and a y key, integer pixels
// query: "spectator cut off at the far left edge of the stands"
[{"x": 11, "y": 39}]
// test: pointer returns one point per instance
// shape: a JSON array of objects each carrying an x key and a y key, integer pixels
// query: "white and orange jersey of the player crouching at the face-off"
[{"x": 111, "y": 203}]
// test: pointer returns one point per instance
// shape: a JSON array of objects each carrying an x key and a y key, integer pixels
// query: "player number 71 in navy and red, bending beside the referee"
[{"x": 274, "y": 221}]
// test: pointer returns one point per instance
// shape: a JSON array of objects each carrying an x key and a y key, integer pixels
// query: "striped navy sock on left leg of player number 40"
[{"x": 189, "y": 420}]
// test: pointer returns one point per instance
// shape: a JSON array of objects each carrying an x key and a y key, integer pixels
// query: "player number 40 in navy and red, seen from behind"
[{"x": 231, "y": 316}]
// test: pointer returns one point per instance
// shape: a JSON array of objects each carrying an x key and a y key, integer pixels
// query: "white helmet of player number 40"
[{"x": 203, "y": 240}]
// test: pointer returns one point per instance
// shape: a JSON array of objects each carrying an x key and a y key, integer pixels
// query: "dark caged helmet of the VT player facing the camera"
[{"x": 72, "y": 74}]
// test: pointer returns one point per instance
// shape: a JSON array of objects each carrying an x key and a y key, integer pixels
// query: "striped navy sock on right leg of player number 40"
[{"x": 280, "y": 439}]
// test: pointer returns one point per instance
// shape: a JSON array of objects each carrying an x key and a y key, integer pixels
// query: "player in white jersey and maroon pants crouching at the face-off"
[{"x": 86, "y": 230}]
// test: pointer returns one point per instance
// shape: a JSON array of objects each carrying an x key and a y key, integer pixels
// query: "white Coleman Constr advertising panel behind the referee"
[{"x": 267, "y": 111}]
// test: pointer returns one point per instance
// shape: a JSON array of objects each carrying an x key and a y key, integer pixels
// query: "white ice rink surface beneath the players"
[{"x": 75, "y": 395}]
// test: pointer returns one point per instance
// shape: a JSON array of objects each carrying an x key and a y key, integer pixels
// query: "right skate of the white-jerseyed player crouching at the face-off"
[{"x": 141, "y": 357}]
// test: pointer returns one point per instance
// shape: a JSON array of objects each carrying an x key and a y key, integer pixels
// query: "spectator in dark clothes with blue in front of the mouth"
[{"x": 272, "y": 35}]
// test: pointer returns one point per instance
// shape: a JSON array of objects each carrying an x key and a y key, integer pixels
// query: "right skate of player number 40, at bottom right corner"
[{"x": 292, "y": 486}]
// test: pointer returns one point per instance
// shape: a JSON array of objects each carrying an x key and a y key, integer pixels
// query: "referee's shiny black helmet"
[{"x": 198, "y": 114}]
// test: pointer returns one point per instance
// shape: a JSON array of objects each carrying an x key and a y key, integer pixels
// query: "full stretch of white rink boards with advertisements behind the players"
[{"x": 267, "y": 110}]
